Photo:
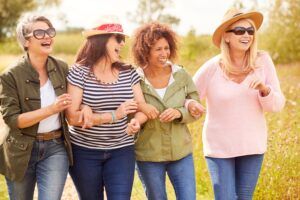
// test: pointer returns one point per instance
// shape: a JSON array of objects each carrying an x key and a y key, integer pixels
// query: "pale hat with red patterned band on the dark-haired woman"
[{"x": 105, "y": 25}]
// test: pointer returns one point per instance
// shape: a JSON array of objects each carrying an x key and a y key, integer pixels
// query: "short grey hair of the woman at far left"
[{"x": 24, "y": 27}]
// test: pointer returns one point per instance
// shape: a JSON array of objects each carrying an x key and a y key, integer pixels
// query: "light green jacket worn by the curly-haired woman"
[{"x": 171, "y": 141}]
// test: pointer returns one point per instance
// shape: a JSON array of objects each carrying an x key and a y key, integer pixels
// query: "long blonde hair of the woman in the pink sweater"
[{"x": 250, "y": 55}]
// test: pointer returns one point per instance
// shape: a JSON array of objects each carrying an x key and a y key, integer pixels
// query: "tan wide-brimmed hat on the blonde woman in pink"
[{"x": 232, "y": 16}]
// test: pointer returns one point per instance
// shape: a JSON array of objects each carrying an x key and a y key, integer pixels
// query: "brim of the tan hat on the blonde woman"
[{"x": 256, "y": 17}]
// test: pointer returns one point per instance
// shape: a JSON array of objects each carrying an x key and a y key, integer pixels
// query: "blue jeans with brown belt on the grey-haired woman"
[{"x": 48, "y": 167}]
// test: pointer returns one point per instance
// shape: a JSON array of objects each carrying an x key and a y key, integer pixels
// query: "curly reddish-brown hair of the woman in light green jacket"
[{"x": 146, "y": 36}]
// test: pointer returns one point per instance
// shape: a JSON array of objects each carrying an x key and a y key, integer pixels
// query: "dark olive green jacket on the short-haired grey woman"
[{"x": 20, "y": 93}]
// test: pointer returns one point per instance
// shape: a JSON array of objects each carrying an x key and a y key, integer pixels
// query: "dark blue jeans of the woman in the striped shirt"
[{"x": 95, "y": 169}]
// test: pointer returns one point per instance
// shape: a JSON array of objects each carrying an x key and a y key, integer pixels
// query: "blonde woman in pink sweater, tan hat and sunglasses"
[{"x": 239, "y": 85}]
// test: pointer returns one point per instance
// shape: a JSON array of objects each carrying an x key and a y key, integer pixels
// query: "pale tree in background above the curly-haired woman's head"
[{"x": 153, "y": 10}]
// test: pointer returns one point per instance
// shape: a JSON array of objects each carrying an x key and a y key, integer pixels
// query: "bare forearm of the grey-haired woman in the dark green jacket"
[{"x": 33, "y": 117}]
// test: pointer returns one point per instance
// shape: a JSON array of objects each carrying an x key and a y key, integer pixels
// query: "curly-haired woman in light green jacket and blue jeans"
[{"x": 164, "y": 144}]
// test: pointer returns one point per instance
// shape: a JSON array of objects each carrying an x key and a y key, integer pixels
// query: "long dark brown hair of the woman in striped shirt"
[{"x": 93, "y": 49}]
